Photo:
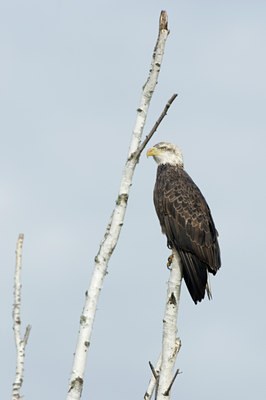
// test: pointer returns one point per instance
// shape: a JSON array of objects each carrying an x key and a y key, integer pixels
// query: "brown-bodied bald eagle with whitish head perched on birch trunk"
[{"x": 186, "y": 219}]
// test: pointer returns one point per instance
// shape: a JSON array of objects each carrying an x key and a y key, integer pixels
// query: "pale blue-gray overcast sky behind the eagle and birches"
[{"x": 71, "y": 75}]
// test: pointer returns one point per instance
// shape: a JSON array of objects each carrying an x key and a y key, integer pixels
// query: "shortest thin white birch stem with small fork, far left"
[{"x": 20, "y": 343}]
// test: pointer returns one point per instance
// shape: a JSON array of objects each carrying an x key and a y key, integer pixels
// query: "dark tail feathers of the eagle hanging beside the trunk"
[{"x": 195, "y": 276}]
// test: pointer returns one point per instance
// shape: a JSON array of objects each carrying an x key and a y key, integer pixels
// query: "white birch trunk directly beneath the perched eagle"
[{"x": 171, "y": 344}]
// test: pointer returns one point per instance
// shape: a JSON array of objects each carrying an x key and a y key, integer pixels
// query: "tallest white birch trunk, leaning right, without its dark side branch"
[{"x": 116, "y": 221}]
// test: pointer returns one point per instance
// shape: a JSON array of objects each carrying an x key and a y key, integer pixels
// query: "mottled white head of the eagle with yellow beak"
[{"x": 166, "y": 153}]
